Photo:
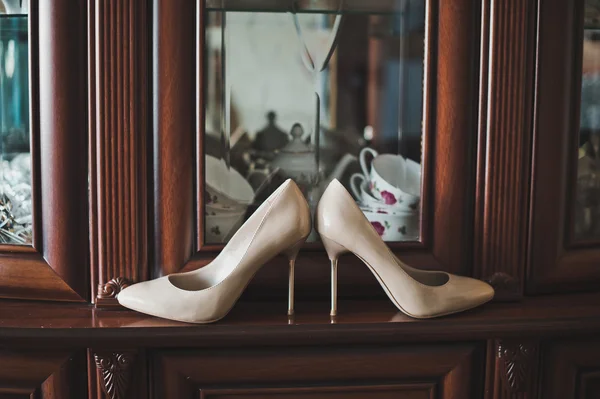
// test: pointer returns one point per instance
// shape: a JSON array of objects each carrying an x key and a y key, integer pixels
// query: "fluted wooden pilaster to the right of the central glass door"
[{"x": 503, "y": 170}]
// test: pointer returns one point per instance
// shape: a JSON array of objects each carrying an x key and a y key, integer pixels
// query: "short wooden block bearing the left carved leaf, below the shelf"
[{"x": 117, "y": 374}]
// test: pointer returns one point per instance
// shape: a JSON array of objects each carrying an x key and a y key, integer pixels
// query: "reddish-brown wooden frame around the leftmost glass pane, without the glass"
[{"x": 54, "y": 267}]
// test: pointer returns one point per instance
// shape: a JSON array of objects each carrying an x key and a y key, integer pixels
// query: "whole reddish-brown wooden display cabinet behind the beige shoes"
[{"x": 119, "y": 92}]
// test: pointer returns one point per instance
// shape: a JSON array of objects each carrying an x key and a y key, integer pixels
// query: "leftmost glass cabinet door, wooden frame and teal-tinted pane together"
[{"x": 43, "y": 150}]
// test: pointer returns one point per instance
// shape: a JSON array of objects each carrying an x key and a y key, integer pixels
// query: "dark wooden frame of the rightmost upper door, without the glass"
[{"x": 555, "y": 264}]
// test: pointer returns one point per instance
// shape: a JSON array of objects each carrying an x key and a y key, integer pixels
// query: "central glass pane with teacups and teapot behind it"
[{"x": 305, "y": 93}]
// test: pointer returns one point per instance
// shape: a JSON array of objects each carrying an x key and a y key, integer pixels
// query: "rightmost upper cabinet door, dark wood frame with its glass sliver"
[{"x": 564, "y": 238}]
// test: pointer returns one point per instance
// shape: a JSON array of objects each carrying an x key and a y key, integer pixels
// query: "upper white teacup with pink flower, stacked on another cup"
[{"x": 392, "y": 178}]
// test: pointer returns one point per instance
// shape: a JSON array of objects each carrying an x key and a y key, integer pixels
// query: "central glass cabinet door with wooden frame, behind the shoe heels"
[{"x": 378, "y": 94}]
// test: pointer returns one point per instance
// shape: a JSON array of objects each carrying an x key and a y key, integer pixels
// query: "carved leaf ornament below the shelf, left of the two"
[{"x": 115, "y": 370}]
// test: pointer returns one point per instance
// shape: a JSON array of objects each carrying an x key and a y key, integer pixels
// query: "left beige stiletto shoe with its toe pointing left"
[{"x": 279, "y": 226}]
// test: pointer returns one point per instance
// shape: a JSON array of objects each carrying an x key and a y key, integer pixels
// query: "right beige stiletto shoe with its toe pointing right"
[{"x": 419, "y": 294}]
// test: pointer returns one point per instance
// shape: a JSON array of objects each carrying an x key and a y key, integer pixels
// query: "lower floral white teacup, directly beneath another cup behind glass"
[{"x": 400, "y": 226}]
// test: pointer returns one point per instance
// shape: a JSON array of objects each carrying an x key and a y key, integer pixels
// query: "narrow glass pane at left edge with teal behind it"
[{"x": 15, "y": 157}]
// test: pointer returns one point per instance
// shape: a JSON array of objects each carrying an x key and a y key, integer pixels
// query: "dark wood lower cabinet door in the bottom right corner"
[{"x": 571, "y": 370}]
